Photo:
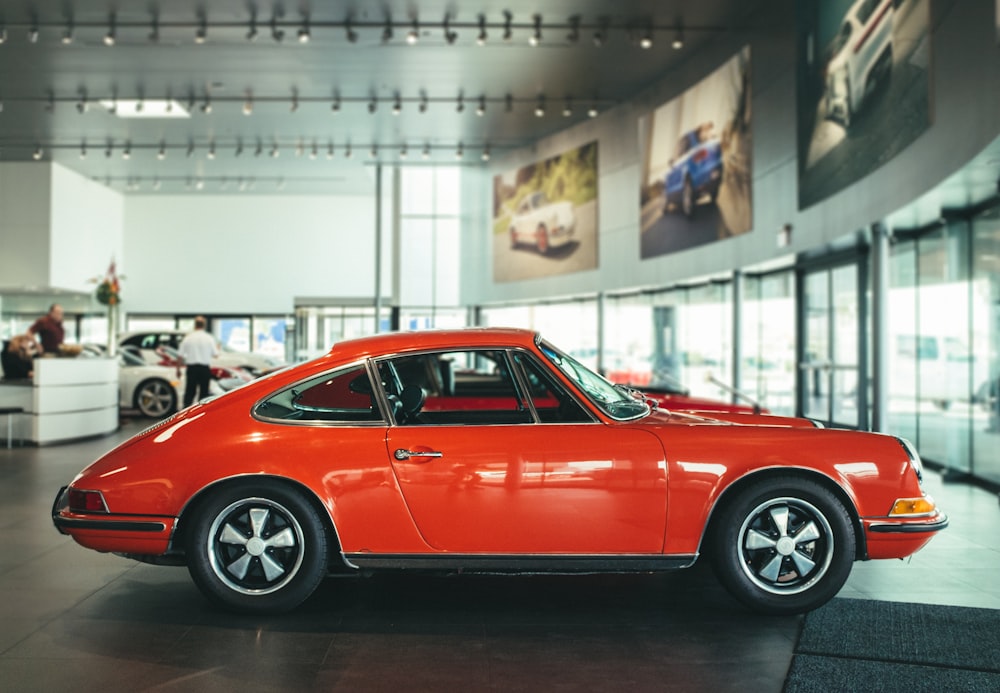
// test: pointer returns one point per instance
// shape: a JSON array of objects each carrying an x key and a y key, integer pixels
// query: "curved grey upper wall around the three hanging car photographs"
[{"x": 965, "y": 118}]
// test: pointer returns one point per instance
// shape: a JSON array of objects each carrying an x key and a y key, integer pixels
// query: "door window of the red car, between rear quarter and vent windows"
[{"x": 453, "y": 388}]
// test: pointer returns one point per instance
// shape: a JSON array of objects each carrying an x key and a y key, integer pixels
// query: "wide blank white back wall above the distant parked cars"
[{"x": 245, "y": 254}]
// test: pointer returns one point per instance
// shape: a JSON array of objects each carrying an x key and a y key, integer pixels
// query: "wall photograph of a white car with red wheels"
[{"x": 545, "y": 217}]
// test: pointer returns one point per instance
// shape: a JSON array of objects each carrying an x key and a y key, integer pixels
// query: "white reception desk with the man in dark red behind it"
[{"x": 68, "y": 398}]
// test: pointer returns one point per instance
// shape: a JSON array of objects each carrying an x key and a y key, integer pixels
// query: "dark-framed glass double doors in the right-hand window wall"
[{"x": 830, "y": 388}]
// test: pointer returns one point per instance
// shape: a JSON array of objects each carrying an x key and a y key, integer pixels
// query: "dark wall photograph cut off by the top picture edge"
[{"x": 863, "y": 88}]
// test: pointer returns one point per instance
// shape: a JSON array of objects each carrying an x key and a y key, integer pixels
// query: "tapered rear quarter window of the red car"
[{"x": 344, "y": 396}]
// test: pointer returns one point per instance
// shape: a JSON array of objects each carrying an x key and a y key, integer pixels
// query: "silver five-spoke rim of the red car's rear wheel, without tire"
[{"x": 255, "y": 546}]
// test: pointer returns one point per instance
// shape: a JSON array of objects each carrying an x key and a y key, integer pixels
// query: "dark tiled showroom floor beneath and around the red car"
[{"x": 76, "y": 620}]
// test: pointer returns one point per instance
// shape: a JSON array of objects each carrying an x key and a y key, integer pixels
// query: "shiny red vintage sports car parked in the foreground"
[{"x": 490, "y": 450}]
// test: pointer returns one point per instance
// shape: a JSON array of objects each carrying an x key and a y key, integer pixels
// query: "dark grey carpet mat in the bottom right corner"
[{"x": 860, "y": 645}]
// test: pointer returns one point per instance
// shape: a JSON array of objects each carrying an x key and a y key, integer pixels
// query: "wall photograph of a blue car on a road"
[{"x": 697, "y": 163}]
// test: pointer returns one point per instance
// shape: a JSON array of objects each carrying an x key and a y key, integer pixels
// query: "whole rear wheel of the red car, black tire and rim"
[{"x": 257, "y": 546}]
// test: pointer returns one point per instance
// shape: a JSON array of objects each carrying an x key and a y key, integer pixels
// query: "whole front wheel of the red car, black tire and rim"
[{"x": 783, "y": 546}]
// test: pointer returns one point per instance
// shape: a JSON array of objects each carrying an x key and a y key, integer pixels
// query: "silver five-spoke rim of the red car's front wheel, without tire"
[{"x": 786, "y": 545}]
